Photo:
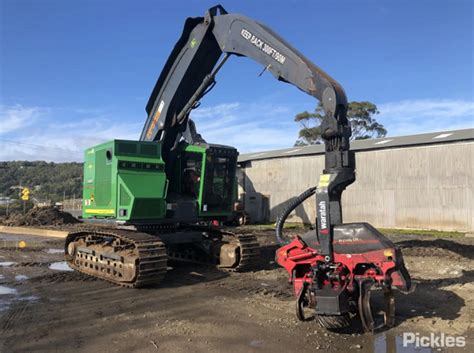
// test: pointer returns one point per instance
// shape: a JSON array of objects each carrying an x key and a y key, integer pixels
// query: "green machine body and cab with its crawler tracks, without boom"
[{"x": 140, "y": 211}]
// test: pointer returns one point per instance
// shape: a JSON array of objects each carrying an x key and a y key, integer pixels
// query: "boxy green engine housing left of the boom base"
[{"x": 124, "y": 180}]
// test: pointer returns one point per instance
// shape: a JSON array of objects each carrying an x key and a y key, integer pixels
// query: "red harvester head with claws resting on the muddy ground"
[{"x": 339, "y": 290}]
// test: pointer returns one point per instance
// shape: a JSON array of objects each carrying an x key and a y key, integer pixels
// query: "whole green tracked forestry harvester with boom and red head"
[{"x": 154, "y": 199}]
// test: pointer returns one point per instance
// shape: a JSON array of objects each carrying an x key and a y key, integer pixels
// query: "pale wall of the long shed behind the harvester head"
[{"x": 426, "y": 187}]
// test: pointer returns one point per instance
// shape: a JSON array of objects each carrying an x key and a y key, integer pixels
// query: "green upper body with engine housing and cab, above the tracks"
[{"x": 128, "y": 181}]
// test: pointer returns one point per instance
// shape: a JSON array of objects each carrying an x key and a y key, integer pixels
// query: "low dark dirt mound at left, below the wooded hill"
[{"x": 40, "y": 216}]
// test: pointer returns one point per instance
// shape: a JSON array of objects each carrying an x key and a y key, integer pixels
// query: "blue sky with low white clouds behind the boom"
[{"x": 77, "y": 73}]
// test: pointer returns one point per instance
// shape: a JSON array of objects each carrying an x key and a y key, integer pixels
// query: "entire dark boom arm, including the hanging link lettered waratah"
[{"x": 189, "y": 74}]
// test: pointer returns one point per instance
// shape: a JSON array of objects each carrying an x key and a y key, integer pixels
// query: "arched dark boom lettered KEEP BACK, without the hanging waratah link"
[{"x": 188, "y": 73}]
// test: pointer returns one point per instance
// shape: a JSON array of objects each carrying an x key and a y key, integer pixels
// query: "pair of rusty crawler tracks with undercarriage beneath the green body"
[{"x": 136, "y": 259}]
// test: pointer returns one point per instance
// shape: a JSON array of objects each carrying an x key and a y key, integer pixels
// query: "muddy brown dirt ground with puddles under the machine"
[{"x": 45, "y": 308}]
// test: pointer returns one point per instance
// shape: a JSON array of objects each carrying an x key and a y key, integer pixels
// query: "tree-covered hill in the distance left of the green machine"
[{"x": 47, "y": 181}]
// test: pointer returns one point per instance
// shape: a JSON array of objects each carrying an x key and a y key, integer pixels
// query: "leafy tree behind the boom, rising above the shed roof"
[{"x": 360, "y": 114}]
